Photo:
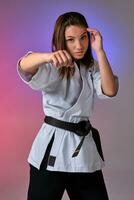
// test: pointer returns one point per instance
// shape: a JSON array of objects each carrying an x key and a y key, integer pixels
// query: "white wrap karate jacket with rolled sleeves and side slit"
[{"x": 68, "y": 100}]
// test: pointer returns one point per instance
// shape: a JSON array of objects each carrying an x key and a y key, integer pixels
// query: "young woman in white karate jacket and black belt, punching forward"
[{"x": 66, "y": 153}]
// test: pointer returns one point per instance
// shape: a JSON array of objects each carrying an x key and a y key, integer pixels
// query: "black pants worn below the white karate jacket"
[{"x": 49, "y": 185}]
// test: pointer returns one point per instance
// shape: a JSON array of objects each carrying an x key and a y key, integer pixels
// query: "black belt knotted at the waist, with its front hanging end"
[{"x": 81, "y": 128}]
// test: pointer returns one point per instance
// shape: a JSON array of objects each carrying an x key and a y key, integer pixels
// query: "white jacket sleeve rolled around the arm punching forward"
[{"x": 41, "y": 79}]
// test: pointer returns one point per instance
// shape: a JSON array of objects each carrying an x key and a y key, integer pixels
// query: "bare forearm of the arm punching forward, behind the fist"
[{"x": 31, "y": 62}]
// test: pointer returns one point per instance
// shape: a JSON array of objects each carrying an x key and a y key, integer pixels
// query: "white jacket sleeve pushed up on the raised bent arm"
[{"x": 96, "y": 78}]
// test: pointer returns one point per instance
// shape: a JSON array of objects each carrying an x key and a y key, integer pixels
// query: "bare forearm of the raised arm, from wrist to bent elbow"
[{"x": 109, "y": 81}]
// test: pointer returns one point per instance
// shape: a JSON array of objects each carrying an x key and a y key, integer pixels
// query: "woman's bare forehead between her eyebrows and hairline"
[{"x": 74, "y": 30}]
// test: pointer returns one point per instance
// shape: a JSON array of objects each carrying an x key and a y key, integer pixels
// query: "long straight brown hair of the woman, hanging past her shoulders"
[{"x": 59, "y": 43}]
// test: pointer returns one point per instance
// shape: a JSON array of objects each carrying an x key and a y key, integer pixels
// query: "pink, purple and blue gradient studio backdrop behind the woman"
[{"x": 28, "y": 25}]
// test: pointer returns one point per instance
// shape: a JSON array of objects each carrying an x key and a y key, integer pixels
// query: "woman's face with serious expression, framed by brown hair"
[{"x": 77, "y": 41}]
